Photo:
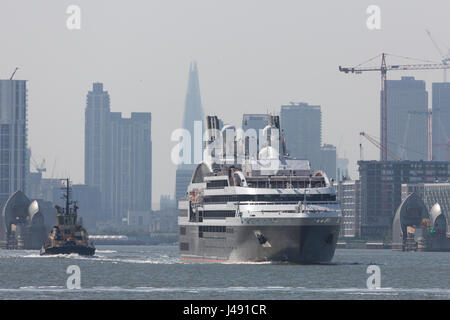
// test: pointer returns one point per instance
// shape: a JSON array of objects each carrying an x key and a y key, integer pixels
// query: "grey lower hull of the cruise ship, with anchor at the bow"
[{"x": 302, "y": 244}]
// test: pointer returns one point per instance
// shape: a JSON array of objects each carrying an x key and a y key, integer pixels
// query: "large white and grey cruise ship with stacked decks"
[{"x": 245, "y": 206}]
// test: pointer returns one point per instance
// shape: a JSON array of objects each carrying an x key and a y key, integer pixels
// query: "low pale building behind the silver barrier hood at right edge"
[{"x": 430, "y": 193}]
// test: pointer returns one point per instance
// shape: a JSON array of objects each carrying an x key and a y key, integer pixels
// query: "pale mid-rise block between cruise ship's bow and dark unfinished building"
[{"x": 349, "y": 196}]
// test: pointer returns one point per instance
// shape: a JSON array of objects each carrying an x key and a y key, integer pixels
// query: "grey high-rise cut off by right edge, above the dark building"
[{"x": 441, "y": 121}]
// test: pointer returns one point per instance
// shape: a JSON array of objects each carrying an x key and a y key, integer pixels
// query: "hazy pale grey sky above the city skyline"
[{"x": 253, "y": 56}]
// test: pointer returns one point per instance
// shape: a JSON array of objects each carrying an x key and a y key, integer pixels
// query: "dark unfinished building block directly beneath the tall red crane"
[{"x": 381, "y": 183}]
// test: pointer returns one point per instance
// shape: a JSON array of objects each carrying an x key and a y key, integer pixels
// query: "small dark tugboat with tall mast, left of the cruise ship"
[{"x": 68, "y": 236}]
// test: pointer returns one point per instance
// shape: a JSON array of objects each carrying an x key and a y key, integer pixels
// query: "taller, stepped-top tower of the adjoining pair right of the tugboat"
[{"x": 97, "y": 150}]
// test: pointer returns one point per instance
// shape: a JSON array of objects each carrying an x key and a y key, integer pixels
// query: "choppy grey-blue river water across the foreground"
[{"x": 155, "y": 272}]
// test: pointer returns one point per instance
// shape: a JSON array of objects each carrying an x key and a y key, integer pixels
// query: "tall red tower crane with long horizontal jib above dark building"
[{"x": 383, "y": 69}]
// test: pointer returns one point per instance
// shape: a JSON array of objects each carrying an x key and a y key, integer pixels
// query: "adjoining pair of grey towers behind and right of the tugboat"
[{"x": 117, "y": 157}]
